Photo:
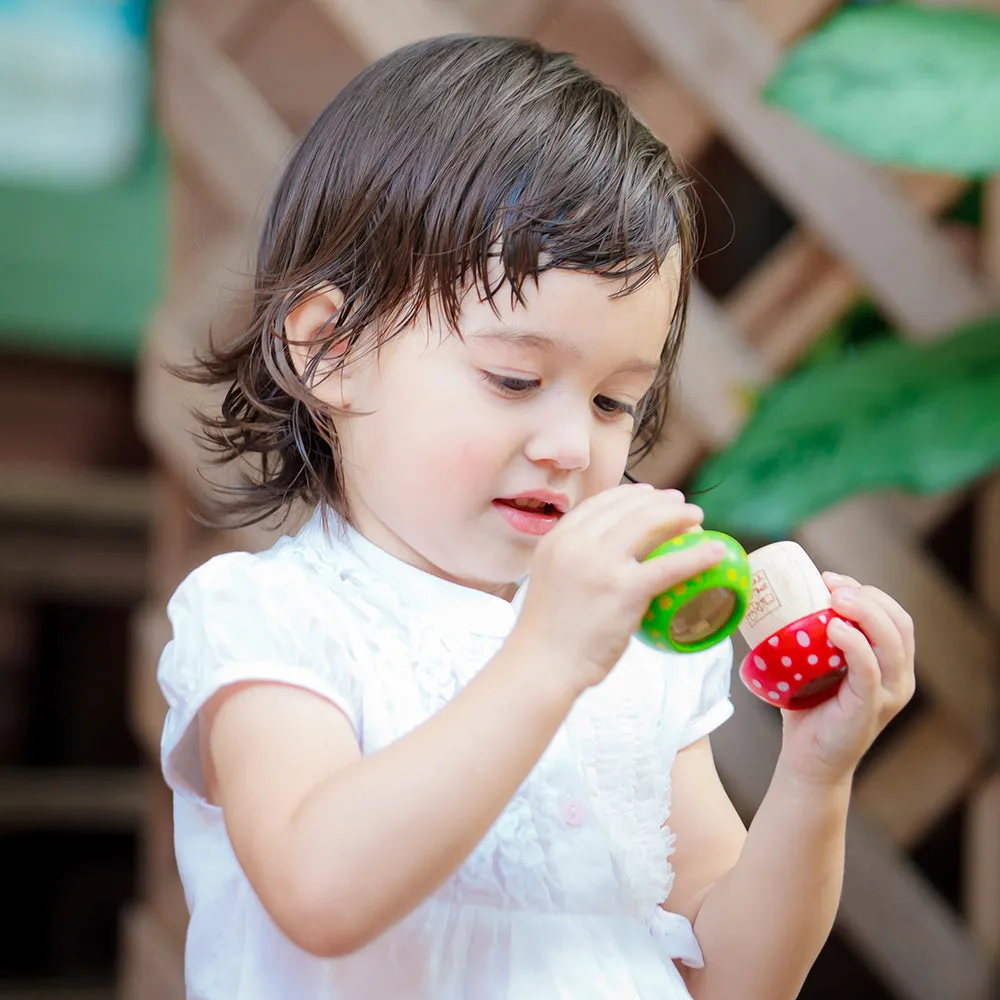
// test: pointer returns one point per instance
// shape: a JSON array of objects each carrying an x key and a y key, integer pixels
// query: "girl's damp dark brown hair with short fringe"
[{"x": 433, "y": 163}]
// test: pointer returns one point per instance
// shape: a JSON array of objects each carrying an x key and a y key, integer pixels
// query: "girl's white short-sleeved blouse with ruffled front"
[{"x": 561, "y": 897}]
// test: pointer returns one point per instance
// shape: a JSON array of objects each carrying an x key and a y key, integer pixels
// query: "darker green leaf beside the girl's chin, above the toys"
[{"x": 925, "y": 418}]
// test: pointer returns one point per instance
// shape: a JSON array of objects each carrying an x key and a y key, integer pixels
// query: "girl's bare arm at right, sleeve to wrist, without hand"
[{"x": 783, "y": 875}]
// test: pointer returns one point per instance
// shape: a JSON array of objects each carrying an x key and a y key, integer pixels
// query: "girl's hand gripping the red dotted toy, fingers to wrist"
[{"x": 826, "y": 743}]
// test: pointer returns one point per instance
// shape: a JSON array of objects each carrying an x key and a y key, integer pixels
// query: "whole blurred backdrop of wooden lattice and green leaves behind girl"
[{"x": 840, "y": 385}]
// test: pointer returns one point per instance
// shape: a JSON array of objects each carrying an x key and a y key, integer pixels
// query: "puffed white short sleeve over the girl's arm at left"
[{"x": 243, "y": 617}]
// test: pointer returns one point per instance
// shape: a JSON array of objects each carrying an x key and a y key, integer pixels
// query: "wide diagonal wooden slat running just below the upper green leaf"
[{"x": 718, "y": 51}]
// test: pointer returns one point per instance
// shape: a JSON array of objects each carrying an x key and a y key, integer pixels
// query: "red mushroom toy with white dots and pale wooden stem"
[{"x": 791, "y": 663}]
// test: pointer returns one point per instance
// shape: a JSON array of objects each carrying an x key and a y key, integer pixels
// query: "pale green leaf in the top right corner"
[{"x": 901, "y": 84}]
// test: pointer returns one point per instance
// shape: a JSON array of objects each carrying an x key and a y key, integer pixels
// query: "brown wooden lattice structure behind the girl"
[{"x": 238, "y": 79}]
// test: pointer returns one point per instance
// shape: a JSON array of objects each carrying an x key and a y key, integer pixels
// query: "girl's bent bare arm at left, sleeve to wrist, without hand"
[{"x": 339, "y": 847}]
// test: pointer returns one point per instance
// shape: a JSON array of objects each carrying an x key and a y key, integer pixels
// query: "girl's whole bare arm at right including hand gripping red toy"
[{"x": 763, "y": 908}]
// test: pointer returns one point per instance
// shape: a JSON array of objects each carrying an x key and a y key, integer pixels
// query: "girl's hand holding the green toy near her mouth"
[{"x": 589, "y": 587}]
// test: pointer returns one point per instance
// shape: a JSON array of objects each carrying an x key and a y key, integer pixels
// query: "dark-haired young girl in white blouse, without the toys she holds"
[{"x": 402, "y": 770}]
